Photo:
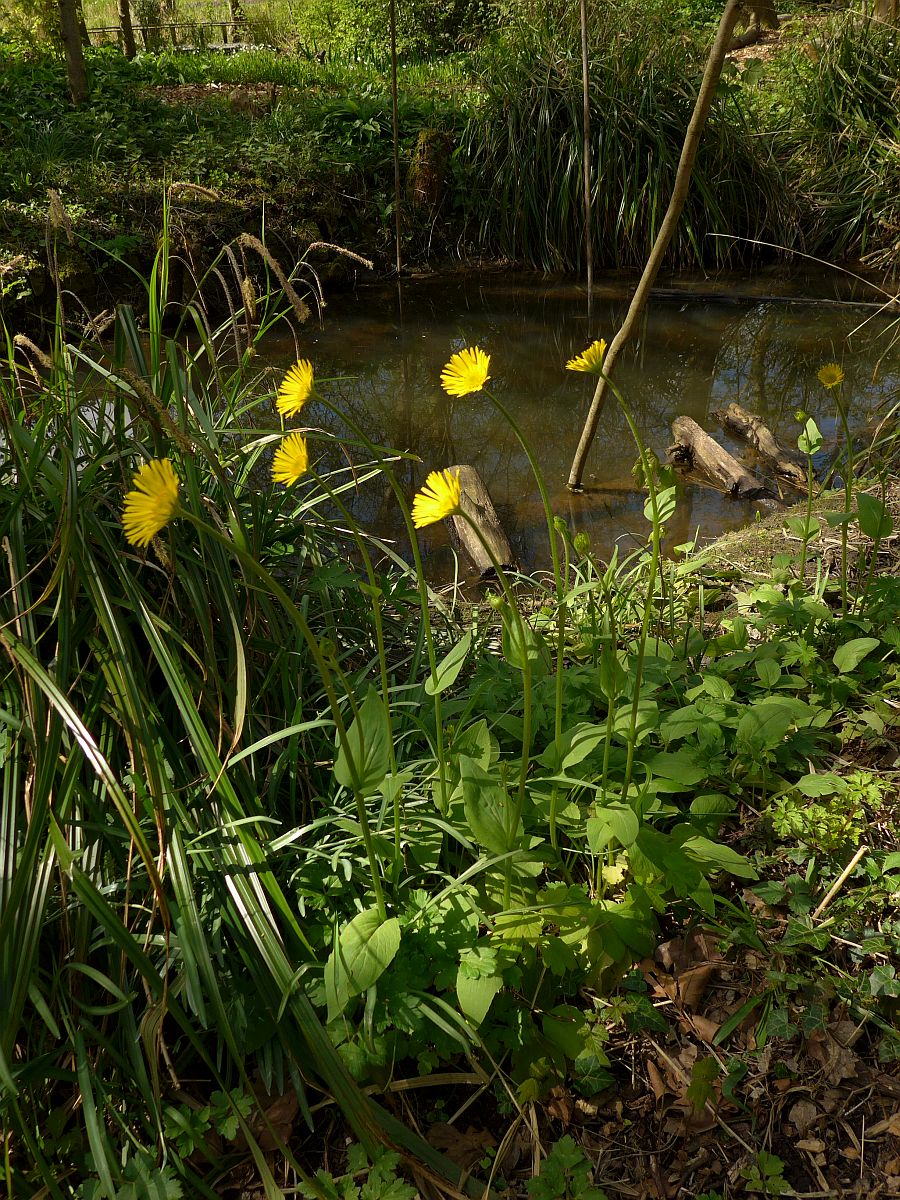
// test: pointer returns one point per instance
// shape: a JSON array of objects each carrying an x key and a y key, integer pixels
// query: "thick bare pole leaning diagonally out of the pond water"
[{"x": 680, "y": 194}]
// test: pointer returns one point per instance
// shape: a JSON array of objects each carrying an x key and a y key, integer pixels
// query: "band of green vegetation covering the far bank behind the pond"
[{"x": 800, "y": 153}]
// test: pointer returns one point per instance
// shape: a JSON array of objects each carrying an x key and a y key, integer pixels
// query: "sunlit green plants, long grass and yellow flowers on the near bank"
[{"x": 283, "y": 829}]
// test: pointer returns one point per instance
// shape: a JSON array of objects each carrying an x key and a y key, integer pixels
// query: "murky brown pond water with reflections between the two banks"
[{"x": 386, "y": 346}]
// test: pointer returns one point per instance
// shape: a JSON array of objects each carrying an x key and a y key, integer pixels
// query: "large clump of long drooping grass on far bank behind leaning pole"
[{"x": 525, "y": 152}]
